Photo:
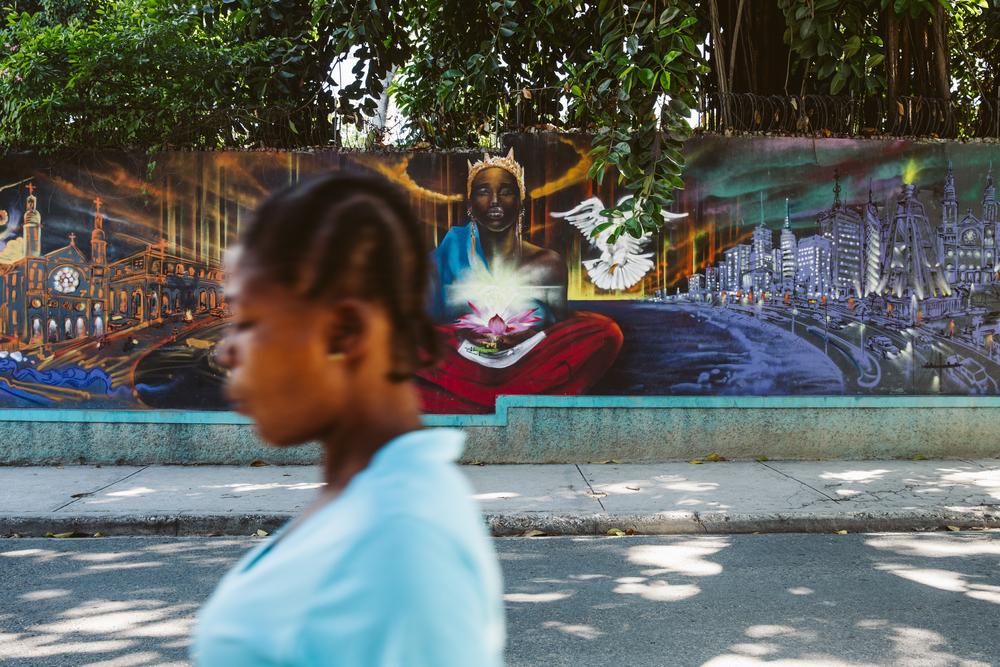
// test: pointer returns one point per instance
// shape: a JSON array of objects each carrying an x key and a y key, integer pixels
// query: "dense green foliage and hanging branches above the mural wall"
[{"x": 250, "y": 73}]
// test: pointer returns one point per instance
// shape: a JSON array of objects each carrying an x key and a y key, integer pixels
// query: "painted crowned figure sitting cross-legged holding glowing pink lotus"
[{"x": 501, "y": 304}]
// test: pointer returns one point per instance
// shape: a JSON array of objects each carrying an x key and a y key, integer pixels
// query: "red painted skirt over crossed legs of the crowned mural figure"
[{"x": 572, "y": 357}]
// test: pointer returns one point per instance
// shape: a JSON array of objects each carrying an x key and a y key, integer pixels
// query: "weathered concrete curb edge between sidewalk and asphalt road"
[{"x": 514, "y": 524}]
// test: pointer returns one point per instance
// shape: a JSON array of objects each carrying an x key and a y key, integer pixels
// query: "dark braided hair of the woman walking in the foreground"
[{"x": 350, "y": 235}]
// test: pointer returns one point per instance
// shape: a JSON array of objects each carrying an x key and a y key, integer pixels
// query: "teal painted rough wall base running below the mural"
[{"x": 550, "y": 429}]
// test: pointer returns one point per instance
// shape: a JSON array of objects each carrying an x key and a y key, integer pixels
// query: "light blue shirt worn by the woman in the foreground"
[{"x": 396, "y": 571}]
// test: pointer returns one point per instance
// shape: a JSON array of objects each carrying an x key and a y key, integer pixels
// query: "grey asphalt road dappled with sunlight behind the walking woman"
[{"x": 912, "y": 600}]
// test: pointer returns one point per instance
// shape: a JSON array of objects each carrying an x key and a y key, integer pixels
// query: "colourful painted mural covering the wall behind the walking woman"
[{"x": 788, "y": 267}]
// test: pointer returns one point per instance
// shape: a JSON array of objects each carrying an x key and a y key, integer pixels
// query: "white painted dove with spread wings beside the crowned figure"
[{"x": 622, "y": 263}]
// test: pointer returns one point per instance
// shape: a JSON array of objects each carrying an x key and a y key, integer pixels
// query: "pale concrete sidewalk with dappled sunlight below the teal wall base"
[{"x": 585, "y": 499}]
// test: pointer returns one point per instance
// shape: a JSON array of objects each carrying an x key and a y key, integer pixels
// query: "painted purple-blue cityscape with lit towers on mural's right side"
[{"x": 882, "y": 293}]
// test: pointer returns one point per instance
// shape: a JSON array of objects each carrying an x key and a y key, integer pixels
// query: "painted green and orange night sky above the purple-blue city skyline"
[{"x": 725, "y": 178}]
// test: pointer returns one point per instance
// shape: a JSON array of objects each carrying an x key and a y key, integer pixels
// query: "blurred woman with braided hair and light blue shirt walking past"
[{"x": 391, "y": 565}]
